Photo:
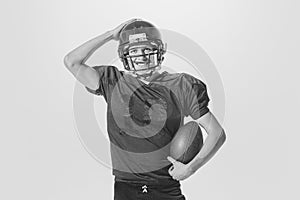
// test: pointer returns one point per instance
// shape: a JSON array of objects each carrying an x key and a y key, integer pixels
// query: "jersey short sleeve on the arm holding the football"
[{"x": 195, "y": 97}]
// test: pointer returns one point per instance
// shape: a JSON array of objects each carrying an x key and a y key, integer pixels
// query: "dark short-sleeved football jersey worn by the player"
[{"x": 143, "y": 118}]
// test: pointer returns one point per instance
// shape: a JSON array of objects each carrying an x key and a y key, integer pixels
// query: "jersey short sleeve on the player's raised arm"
[{"x": 108, "y": 76}]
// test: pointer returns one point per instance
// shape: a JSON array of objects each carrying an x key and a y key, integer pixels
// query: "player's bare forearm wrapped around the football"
[{"x": 211, "y": 145}]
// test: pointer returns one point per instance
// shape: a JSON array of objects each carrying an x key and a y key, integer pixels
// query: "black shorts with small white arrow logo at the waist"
[{"x": 147, "y": 191}]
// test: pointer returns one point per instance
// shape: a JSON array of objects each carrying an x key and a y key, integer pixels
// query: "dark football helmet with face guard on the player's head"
[{"x": 141, "y": 33}]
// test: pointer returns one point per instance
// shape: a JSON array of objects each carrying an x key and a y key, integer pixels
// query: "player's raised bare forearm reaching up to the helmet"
[{"x": 84, "y": 51}]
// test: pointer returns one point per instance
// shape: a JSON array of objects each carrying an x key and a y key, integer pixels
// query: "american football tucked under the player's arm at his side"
[{"x": 187, "y": 142}]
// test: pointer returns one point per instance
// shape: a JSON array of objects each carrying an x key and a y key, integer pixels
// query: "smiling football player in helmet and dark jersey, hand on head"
[{"x": 145, "y": 108}]
